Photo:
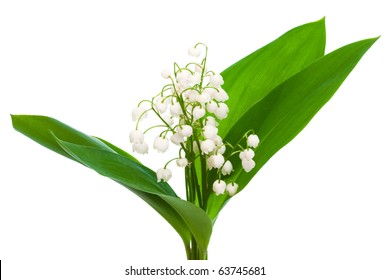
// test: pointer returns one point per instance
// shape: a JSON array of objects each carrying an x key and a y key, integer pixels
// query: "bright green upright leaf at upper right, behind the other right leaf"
[{"x": 253, "y": 77}]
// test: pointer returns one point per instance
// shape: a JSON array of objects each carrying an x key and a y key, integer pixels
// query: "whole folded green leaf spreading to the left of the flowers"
[{"x": 186, "y": 218}]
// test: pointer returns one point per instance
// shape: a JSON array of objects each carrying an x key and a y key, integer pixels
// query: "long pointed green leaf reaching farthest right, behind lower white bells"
[{"x": 287, "y": 109}]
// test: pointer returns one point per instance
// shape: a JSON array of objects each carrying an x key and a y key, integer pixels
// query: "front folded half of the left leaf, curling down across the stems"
[{"x": 134, "y": 176}]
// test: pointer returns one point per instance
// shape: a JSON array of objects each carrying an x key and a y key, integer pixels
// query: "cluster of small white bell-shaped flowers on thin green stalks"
[{"x": 189, "y": 108}]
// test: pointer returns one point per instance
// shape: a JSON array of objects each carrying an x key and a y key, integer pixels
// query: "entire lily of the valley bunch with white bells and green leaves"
[{"x": 225, "y": 126}]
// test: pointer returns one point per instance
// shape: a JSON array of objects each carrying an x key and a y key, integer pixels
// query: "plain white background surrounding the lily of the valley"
[{"x": 318, "y": 210}]
